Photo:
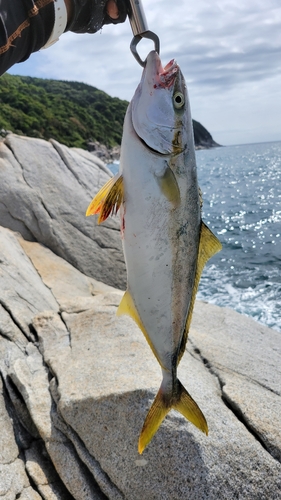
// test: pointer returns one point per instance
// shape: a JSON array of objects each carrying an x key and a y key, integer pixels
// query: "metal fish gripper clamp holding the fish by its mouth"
[{"x": 140, "y": 30}]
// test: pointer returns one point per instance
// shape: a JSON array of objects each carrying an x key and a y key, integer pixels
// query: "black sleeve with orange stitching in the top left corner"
[{"x": 25, "y": 27}]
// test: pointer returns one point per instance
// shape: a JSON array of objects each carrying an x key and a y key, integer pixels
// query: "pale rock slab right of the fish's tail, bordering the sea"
[{"x": 230, "y": 333}]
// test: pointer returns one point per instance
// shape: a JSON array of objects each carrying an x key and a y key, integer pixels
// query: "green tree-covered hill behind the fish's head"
[{"x": 73, "y": 113}]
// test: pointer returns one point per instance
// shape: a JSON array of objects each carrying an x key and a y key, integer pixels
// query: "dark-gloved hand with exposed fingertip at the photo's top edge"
[{"x": 88, "y": 16}]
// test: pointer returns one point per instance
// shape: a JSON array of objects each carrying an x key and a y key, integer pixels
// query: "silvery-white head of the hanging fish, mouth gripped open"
[{"x": 160, "y": 107}]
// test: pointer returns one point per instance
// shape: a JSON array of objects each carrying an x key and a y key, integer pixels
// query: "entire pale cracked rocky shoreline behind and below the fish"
[{"x": 76, "y": 381}]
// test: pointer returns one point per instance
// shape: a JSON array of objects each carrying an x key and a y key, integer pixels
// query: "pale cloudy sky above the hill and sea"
[{"x": 229, "y": 52}]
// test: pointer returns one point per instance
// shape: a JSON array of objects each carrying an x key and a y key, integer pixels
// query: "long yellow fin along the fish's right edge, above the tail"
[{"x": 209, "y": 245}]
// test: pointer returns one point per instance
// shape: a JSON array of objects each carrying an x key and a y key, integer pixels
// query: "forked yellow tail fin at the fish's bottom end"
[{"x": 178, "y": 399}]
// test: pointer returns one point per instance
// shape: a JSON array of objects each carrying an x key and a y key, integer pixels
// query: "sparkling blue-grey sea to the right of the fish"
[{"x": 241, "y": 188}]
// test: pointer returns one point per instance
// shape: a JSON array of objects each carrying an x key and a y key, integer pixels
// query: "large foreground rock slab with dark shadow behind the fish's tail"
[{"x": 126, "y": 378}]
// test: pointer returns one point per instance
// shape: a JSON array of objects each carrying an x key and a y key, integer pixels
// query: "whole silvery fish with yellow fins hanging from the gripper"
[{"x": 165, "y": 242}]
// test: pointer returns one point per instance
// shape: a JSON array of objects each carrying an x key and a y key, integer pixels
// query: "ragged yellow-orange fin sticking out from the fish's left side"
[{"x": 108, "y": 200}]
